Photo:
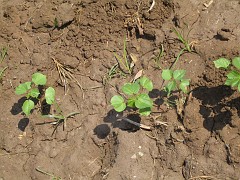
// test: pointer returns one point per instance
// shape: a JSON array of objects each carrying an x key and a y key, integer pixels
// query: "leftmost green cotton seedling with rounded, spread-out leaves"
[{"x": 31, "y": 91}]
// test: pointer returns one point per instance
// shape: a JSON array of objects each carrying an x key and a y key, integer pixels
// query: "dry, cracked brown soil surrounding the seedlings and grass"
[{"x": 200, "y": 142}]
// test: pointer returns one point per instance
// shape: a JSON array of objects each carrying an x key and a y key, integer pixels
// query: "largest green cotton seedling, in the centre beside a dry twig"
[{"x": 135, "y": 97}]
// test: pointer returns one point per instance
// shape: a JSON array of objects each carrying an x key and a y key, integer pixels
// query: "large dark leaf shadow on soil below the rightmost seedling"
[{"x": 214, "y": 110}]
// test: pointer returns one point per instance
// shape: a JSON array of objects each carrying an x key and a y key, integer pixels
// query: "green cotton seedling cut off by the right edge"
[{"x": 233, "y": 77}]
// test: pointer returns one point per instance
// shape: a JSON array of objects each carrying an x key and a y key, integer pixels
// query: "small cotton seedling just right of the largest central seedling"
[{"x": 175, "y": 80}]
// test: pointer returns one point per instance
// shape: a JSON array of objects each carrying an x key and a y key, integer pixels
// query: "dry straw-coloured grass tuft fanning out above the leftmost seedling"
[{"x": 66, "y": 73}]
